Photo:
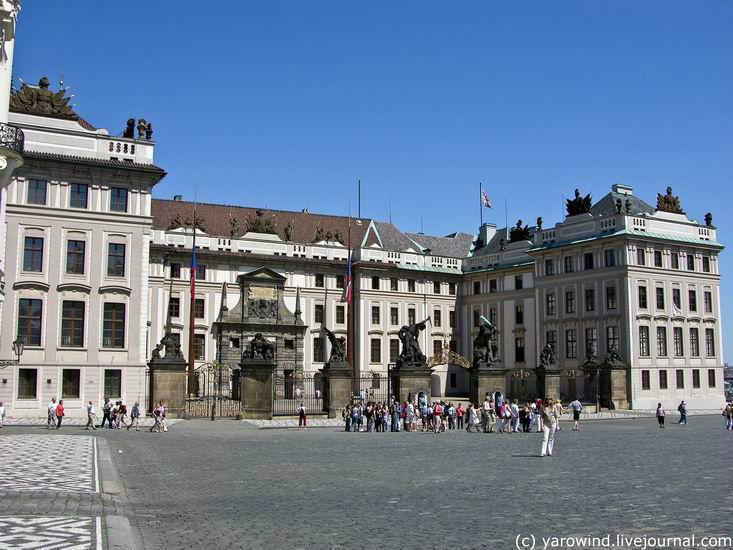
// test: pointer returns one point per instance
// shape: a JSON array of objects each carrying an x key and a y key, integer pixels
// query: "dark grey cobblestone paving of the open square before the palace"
[{"x": 227, "y": 484}]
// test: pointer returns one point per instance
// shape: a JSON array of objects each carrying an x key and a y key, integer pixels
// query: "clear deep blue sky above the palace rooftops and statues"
[{"x": 286, "y": 104}]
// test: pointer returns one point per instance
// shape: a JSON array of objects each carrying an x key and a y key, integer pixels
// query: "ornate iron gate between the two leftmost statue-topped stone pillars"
[{"x": 216, "y": 392}]
